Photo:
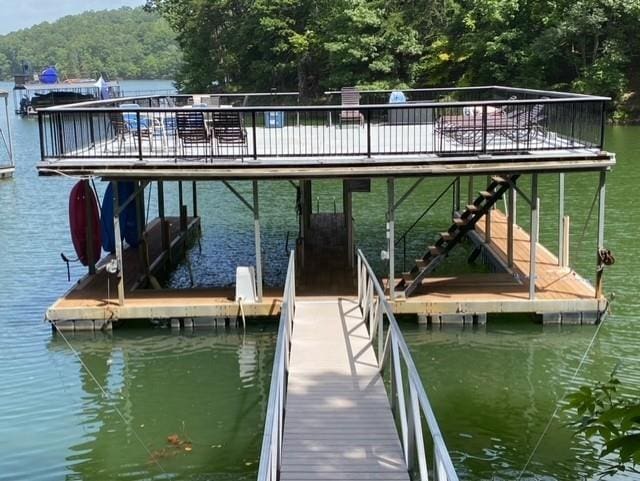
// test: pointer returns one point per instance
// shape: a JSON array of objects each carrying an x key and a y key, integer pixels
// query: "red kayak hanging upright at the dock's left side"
[{"x": 82, "y": 218}]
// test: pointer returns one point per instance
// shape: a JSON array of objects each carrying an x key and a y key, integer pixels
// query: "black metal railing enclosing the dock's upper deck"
[{"x": 442, "y": 122}]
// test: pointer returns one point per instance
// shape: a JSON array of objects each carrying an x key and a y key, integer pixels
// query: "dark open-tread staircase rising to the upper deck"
[{"x": 449, "y": 239}]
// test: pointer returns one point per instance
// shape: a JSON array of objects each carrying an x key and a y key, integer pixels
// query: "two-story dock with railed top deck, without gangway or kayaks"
[{"x": 489, "y": 141}]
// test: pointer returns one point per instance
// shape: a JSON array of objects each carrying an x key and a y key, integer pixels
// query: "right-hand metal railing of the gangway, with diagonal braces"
[{"x": 392, "y": 352}]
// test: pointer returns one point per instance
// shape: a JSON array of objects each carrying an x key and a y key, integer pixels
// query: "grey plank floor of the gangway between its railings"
[{"x": 338, "y": 421}]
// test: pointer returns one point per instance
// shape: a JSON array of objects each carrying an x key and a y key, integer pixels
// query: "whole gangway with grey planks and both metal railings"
[{"x": 329, "y": 415}]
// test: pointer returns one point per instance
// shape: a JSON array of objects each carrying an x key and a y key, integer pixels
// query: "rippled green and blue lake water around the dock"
[{"x": 493, "y": 388}]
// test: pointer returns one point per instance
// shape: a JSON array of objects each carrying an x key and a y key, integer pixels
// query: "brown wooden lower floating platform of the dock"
[{"x": 562, "y": 295}]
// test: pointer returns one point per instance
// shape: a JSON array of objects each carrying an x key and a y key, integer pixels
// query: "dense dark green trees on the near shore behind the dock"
[{"x": 589, "y": 46}]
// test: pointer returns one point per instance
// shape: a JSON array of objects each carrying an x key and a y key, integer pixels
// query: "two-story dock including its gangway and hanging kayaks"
[{"x": 346, "y": 401}]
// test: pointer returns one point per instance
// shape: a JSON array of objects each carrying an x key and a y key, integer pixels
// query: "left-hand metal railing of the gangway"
[{"x": 271, "y": 453}]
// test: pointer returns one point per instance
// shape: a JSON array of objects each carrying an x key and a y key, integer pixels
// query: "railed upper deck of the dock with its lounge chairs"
[{"x": 436, "y": 132}]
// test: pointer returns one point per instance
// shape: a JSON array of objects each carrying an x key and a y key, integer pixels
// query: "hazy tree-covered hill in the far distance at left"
[{"x": 125, "y": 43}]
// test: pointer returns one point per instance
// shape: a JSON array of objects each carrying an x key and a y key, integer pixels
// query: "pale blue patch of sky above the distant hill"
[{"x": 18, "y": 14}]
